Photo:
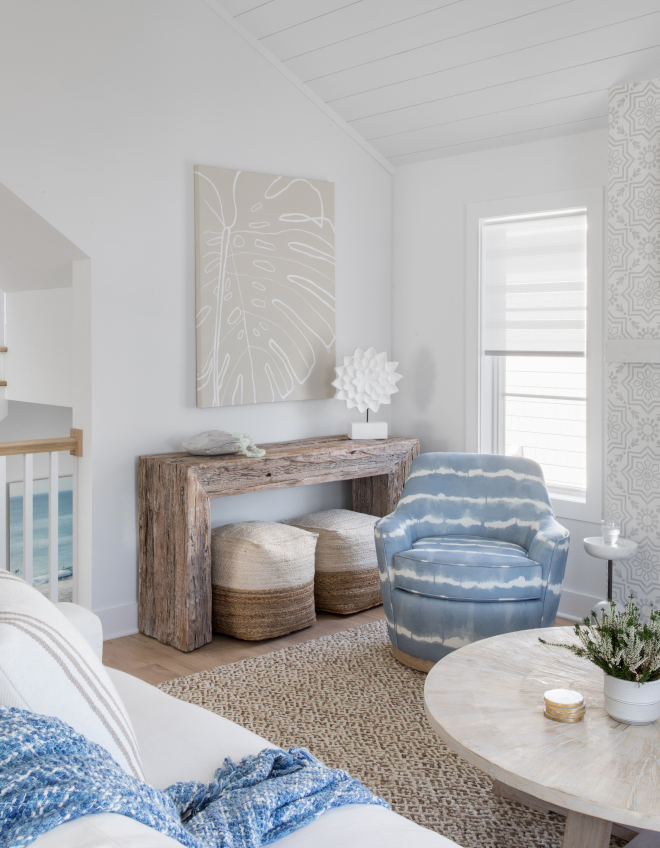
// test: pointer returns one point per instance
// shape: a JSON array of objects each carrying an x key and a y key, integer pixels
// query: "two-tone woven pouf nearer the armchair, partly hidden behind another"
[{"x": 346, "y": 577}]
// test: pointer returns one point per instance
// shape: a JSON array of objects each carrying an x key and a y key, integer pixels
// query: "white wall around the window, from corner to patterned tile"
[{"x": 428, "y": 305}]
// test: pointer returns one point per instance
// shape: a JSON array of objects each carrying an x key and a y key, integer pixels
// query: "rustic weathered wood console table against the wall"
[{"x": 174, "y": 492}]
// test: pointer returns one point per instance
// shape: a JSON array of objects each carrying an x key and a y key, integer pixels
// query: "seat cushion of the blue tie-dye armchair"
[{"x": 468, "y": 568}]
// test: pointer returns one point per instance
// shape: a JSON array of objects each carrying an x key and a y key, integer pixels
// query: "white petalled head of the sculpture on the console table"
[{"x": 366, "y": 380}]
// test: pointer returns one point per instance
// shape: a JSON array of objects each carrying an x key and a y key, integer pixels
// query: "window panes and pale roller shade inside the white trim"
[{"x": 533, "y": 295}]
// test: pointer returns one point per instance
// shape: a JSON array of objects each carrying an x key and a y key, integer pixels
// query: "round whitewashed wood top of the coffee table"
[{"x": 486, "y": 702}]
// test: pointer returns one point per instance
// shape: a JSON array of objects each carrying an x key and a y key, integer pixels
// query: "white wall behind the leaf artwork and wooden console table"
[{"x": 104, "y": 110}]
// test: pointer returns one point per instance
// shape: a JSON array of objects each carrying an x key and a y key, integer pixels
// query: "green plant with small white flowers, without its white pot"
[{"x": 620, "y": 643}]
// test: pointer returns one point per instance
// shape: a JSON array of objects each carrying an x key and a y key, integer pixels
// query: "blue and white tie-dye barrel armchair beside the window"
[{"x": 472, "y": 550}]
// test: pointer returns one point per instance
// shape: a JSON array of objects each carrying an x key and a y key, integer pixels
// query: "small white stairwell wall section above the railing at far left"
[{"x": 38, "y": 335}]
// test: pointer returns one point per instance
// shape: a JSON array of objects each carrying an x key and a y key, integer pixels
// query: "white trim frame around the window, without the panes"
[{"x": 592, "y": 200}]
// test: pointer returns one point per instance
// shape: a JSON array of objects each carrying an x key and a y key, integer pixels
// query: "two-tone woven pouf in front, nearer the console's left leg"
[{"x": 262, "y": 579}]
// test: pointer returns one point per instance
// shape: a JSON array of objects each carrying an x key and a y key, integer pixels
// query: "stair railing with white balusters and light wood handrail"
[{"x": 28, "y": 448}]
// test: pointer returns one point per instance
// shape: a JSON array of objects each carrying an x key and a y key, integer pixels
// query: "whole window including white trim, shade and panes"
[{"x": 536, "y": 299}]
